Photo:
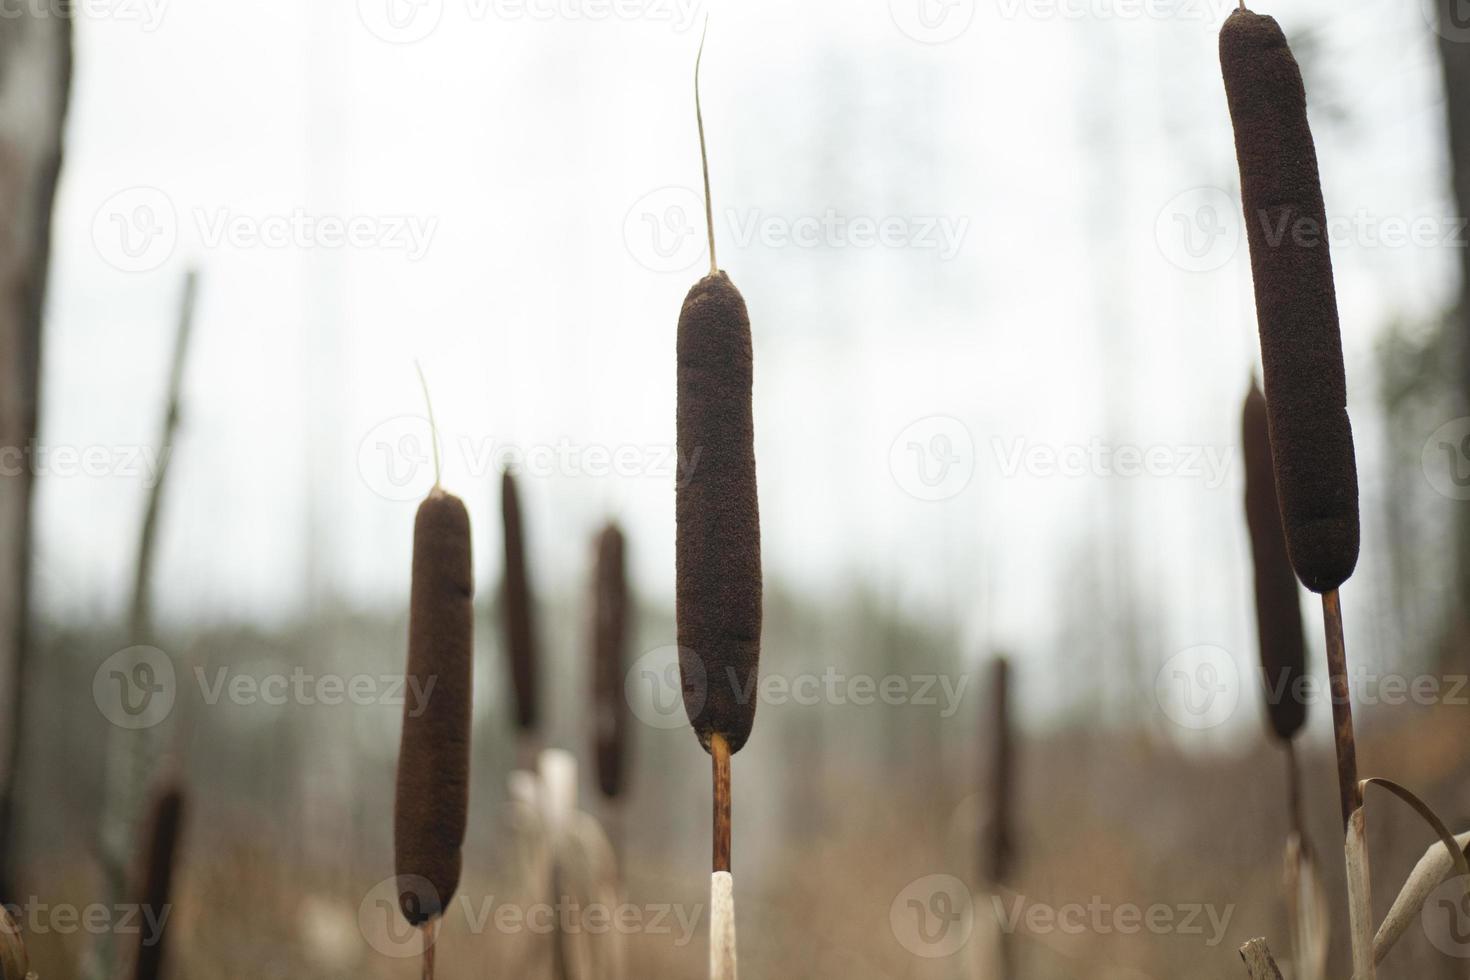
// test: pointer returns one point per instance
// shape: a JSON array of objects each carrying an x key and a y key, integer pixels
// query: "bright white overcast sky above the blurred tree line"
[{"x": 1061, "y": 140}]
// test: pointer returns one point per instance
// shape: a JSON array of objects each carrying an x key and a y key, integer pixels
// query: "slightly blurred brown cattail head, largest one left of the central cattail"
[{"x": 433, "y": 797}]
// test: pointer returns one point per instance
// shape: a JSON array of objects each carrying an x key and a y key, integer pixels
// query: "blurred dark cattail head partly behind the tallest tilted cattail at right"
[{"x": 1278, "y": 608}]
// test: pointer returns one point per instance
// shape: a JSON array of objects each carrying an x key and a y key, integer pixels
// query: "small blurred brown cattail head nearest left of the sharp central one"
[{"x": 609, "y": 663}]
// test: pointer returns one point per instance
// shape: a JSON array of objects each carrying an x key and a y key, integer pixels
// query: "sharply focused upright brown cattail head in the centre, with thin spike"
[{"x": 718, "y": 544}]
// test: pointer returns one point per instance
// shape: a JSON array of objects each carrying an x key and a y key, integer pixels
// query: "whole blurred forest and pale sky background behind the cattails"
[{"x": 1065, "y": 273}]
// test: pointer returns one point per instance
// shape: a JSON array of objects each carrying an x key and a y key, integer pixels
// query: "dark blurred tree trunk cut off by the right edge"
[{"x": 1455, "y": 51}]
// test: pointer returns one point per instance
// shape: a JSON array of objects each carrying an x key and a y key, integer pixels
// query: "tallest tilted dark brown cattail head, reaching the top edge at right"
[{"x": 1296, "y": 302}]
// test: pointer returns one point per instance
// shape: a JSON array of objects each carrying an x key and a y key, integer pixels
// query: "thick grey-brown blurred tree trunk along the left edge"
[{"x": 36, "y": 68}]
